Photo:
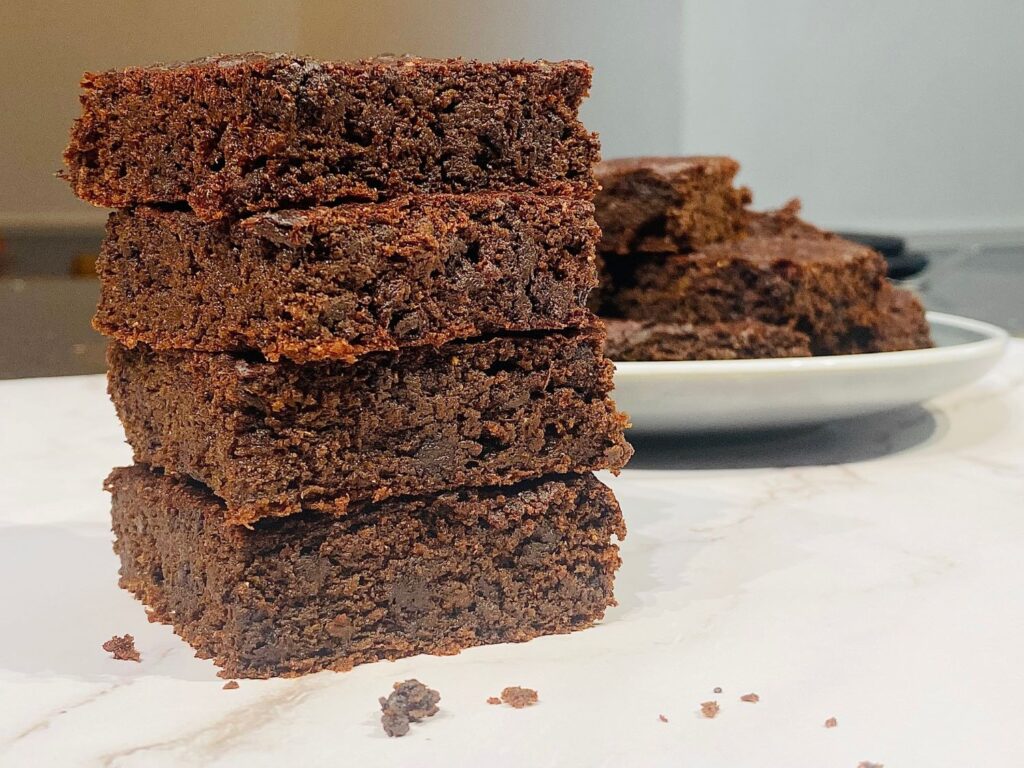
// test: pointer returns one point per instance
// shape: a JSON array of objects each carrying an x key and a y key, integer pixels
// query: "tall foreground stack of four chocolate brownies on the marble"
[{"x": 353, "y": 354}]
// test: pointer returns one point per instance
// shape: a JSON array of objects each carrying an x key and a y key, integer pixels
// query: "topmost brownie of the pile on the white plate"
[{"x": 668, "y": 205}]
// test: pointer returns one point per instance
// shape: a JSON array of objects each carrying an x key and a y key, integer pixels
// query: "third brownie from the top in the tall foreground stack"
[{"x": 272, "y": 438}]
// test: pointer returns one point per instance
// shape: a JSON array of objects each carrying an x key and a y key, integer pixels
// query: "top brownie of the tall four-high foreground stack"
[{"x": 240, "y": 134}]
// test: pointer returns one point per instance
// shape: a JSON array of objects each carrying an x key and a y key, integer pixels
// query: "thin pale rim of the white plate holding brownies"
[{"x": 994, "y": 344}]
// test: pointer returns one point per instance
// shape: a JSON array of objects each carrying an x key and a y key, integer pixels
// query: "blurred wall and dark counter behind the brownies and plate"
[{"x": 904, "y": 118}]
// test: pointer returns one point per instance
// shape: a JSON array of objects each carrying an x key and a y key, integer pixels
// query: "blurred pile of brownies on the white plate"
[{"x": 691, "y": 273}]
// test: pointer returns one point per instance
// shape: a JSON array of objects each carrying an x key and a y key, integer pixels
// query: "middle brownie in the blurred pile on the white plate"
[{"x": 825, "y": 287}]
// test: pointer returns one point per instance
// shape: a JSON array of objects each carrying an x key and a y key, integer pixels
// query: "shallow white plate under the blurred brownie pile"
[{"x": 713, "y": 396}]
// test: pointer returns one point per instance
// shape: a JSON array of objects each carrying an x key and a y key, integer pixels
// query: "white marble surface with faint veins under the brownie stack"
[{"x": 872, "y": 571}]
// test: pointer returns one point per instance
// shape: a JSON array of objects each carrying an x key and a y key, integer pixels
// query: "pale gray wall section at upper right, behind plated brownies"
[{"x": 900, "y": 115}]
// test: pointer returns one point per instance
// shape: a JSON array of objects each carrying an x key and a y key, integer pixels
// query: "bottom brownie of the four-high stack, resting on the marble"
[{"x": 392, "y": 579}]
